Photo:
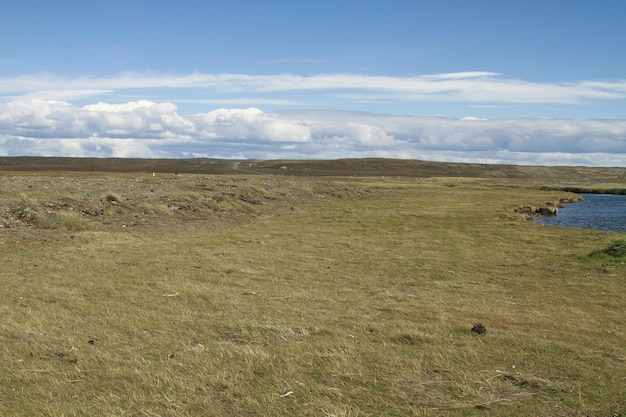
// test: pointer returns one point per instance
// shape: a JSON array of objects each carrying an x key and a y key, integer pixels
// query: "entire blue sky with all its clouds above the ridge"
[{"x": 483, "y": 81}]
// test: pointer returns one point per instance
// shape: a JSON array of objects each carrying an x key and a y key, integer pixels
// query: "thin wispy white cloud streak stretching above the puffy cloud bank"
[{"x": 473, "y": 87}]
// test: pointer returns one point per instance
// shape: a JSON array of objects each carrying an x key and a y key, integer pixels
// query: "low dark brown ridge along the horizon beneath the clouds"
[{"x": 361, "y": 167}]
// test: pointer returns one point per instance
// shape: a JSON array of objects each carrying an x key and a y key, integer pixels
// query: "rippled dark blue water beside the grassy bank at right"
[{"x": 598, "y": 211}]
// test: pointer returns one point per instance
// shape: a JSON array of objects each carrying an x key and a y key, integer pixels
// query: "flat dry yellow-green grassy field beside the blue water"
[{"x": 213, "y": 295}]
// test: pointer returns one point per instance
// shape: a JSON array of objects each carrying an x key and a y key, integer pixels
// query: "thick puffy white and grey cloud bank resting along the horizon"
[{"x": 148, "y": 129}]
